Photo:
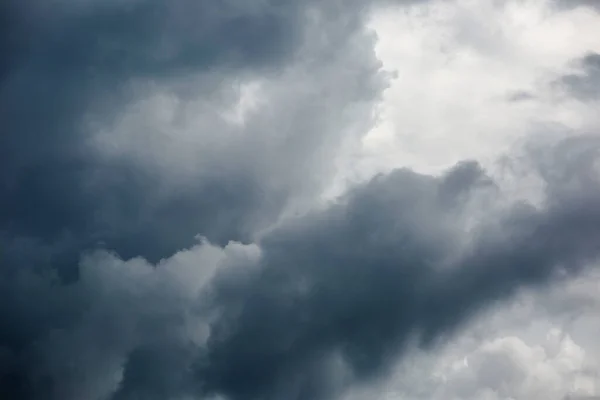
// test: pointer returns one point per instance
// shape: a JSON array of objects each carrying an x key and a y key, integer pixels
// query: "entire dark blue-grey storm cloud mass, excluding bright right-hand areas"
[{"x": 132, "y": 128}]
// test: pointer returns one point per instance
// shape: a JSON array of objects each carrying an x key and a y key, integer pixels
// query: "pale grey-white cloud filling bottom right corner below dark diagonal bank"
[{"x": 542, "y": 345}]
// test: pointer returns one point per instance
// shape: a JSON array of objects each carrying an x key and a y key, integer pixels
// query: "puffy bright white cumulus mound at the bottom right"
[{"x": 504, "y": 367}]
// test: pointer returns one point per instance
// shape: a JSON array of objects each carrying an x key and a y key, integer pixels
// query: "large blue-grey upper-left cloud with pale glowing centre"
[{"x": 95, "y": 94}]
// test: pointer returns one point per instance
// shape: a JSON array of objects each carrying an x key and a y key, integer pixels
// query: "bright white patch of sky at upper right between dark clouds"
[{"x": 472, "y": 78}]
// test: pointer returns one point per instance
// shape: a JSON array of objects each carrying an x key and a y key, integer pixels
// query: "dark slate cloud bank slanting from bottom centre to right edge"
[{"x": 365, "y": 277}]
